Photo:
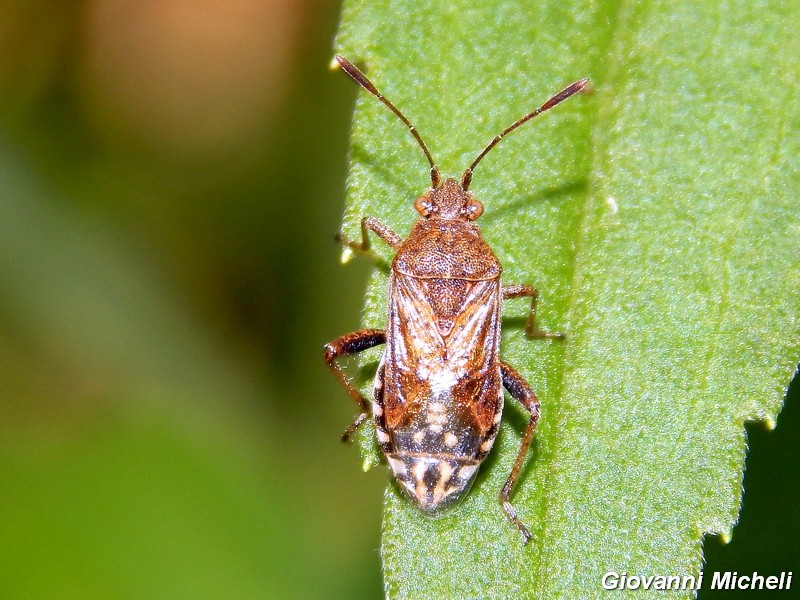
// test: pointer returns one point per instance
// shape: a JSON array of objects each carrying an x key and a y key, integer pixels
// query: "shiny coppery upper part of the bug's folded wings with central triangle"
[{"x": 442, "y": 344}]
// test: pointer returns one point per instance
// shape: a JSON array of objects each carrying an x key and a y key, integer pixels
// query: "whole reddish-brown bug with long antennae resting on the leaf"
[{"x": 437, "y": 398}]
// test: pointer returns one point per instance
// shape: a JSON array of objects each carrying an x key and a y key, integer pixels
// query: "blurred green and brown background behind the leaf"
[{"x": 171, "y": 174}]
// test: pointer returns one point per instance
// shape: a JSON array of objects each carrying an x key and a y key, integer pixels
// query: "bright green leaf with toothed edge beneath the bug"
[{"x": 659, "y": 219}]
